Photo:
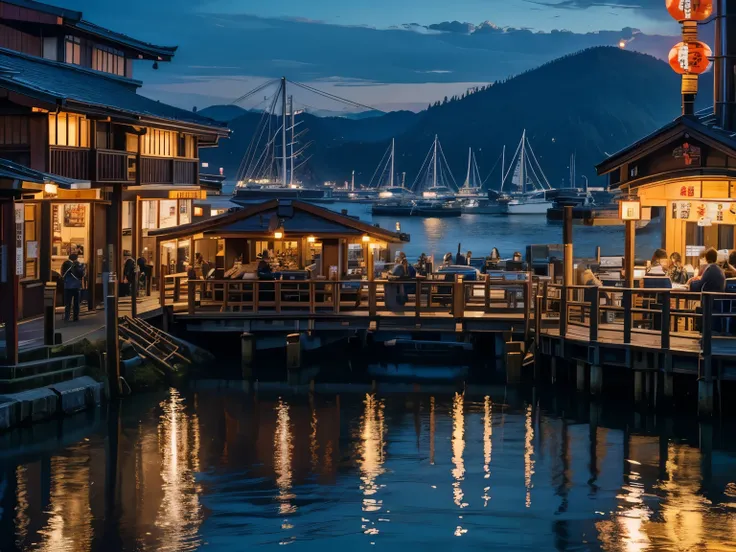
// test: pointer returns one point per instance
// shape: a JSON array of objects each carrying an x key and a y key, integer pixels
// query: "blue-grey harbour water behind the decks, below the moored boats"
[{"x": 480, "y": 233}]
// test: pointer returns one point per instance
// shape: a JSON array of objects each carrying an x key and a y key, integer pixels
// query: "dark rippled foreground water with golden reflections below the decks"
[{"x": 226, "y": 470}]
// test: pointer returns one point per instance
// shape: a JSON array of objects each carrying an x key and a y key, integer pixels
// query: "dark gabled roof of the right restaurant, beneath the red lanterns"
[{"x": 702, "y": 126}]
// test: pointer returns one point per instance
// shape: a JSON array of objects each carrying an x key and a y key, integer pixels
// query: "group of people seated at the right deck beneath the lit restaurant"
[{"x": 666, "y": 271}]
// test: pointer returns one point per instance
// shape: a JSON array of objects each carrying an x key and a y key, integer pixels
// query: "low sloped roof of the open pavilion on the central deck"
[{"x": 298, "y": 218}]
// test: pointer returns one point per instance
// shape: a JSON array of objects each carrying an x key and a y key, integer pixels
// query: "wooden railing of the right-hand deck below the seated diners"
[{"x": 662, "y": 318}]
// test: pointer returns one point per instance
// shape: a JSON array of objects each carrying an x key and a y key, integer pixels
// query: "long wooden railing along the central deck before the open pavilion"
[{"x": 407, "y": 297}]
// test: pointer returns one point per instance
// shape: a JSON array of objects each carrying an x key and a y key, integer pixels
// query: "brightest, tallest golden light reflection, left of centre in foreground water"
[{"x": 180, "y": 512}]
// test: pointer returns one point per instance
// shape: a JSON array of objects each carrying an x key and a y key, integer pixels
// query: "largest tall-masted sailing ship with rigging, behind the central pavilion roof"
[{"x": 263, "y": 173}]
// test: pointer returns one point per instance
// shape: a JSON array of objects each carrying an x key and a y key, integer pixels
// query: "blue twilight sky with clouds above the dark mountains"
[{"x": 378, "y": 52}]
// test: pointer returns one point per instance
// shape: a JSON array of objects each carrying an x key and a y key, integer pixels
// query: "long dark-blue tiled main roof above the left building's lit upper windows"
[{"x": 89, "y": 91}]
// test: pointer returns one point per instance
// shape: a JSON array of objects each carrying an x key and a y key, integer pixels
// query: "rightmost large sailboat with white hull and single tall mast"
[{"x": 530, "y": 192}]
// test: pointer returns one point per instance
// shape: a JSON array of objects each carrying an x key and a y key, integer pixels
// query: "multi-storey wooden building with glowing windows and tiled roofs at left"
[{"x": 117, "y": 164}]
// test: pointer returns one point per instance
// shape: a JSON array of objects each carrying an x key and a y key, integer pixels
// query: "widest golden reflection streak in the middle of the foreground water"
[{"x": 371, "y": 447}]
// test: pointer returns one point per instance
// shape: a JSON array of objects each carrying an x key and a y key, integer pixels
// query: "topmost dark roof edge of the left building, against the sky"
[{"x": 73, "y": 19}]
